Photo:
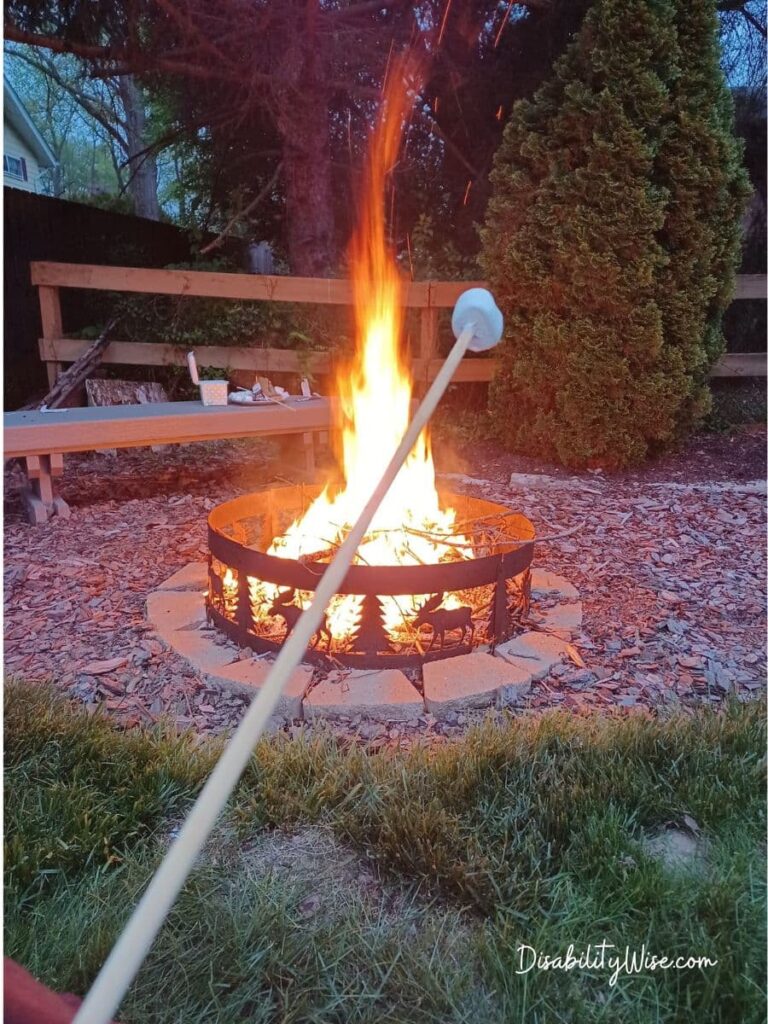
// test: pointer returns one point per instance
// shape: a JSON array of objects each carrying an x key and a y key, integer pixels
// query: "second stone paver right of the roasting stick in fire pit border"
[{"x": 472, "y": 681}]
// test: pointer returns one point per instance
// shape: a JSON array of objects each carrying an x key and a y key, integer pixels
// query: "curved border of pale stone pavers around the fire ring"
[{"x": 480, "y": 680}]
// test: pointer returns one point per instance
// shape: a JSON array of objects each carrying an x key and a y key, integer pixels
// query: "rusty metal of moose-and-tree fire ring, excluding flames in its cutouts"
[{"x": 242, "y": 530}]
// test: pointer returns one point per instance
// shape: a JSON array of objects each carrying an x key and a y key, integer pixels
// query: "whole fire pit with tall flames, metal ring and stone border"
[{"x": 437, "y": 608}]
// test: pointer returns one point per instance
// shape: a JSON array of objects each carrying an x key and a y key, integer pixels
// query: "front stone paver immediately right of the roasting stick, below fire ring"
[{"x": 381, "y": 695}]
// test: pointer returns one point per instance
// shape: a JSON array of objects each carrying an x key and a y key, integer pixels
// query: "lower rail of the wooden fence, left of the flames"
[{"x": 140, "y": 354}]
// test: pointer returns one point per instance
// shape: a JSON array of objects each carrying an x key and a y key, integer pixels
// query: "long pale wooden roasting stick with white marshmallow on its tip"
[{"x": 478, "y": 325}]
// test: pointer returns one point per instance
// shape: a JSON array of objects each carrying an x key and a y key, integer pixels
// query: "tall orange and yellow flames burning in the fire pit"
[{"x": 375, "y": 399}]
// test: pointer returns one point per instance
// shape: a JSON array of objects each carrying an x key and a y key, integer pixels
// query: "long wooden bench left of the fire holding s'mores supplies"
[{"x": 41, "y": 439}]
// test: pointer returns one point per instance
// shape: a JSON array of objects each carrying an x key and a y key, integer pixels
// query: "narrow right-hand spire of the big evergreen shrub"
[{"x": 701, "y": 164}]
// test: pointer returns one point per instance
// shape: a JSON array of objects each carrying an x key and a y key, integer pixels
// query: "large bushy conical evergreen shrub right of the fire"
[{"x": 613, "y": 236}]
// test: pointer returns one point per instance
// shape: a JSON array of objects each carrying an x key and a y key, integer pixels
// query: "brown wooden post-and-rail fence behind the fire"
[{"x": 428, "y": 297}]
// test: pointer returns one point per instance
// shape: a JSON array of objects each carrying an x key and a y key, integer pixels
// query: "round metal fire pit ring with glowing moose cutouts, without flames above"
[{"x": 397, "y": 616}]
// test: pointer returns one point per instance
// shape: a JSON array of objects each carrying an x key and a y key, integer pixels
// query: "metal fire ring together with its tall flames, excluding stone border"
[{"x": 437, "y": 575}]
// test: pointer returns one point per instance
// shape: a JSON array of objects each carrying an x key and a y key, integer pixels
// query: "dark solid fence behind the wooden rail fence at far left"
[{"x": 39, "y": 228}]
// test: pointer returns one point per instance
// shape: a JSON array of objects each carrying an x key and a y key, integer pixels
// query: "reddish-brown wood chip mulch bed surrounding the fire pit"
[{"x": 670, "y": 562}]
